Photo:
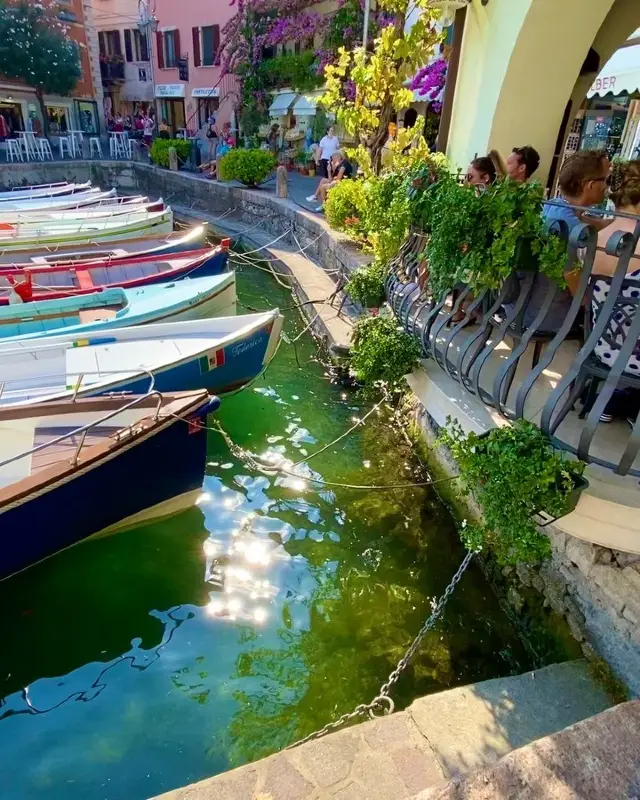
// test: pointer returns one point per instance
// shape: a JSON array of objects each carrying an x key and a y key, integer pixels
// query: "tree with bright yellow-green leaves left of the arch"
[{"x": 367, "y": 88}]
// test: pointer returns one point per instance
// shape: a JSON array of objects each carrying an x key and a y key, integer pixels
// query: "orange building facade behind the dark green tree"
[{"x": 80, "y": 111}]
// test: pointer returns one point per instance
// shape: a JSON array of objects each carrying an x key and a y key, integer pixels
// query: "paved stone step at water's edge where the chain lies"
[{"x": 437, "y": 738}]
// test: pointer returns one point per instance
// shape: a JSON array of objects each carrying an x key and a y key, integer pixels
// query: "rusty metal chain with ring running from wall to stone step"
[{"x": 383, "y": 699}]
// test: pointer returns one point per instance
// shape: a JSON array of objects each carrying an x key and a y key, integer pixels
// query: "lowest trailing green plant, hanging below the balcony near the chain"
[{"x": 513, "y": 472}]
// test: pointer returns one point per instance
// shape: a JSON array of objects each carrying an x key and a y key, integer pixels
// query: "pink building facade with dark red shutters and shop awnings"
[{"x": 189, "y": 85}]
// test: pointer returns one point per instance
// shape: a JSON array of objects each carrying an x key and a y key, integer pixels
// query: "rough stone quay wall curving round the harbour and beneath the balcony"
[{"x": 595, "y": 589}]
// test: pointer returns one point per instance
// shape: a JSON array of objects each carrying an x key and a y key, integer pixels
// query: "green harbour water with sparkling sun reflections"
[{"x": 121, "y": 674}]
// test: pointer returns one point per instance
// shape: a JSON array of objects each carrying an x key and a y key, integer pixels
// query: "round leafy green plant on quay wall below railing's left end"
[{"x": 382, "y": 352}]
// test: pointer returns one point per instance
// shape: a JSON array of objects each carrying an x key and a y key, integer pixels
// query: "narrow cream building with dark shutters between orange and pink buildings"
[{"x": 126, "y": 72}]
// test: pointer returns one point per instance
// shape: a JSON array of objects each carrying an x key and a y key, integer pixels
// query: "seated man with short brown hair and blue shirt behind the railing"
[{"x": 582, "y": 182}]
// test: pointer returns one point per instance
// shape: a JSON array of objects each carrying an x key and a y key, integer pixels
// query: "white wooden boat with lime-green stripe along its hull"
[{"x": 26, "y": 236}]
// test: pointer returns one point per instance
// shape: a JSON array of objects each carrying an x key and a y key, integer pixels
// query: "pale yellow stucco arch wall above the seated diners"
[{"x": 519, "y": 66}]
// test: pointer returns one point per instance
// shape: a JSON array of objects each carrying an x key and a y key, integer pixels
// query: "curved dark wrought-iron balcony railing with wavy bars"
[{"x": 562, "y": 379}]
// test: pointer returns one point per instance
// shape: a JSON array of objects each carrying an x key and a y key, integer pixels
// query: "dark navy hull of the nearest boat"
[{"x": 169, "y": 463}]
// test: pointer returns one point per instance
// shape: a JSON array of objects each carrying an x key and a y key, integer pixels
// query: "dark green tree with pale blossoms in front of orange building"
[{"x": 35, "y": 47}]
